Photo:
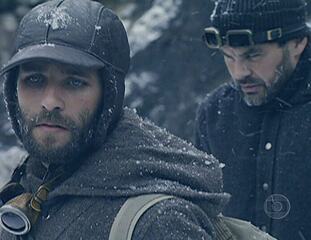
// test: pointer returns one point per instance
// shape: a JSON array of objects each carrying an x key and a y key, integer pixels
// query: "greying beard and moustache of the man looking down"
[{"x": 283, "y": 73}]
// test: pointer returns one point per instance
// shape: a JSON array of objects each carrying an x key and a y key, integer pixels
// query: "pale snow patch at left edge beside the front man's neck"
[{"x": 9, "y": 159}]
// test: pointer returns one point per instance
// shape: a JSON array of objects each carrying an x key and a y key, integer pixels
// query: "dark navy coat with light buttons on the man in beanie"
[{"x": 266, "y": 151}]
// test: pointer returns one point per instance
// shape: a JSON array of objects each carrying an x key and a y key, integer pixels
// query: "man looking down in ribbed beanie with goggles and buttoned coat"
[{"x": 259, "y": 123}]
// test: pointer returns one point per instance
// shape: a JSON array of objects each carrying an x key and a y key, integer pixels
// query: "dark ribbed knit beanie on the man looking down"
[{"x": 260, "y": 16}]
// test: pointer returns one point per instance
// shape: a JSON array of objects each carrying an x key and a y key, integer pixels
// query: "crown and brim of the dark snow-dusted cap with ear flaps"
[{"x": 76, "y": 32}]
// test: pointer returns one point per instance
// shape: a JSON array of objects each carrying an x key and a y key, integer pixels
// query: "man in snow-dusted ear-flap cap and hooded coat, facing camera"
[{"x": 64, "y": 90}]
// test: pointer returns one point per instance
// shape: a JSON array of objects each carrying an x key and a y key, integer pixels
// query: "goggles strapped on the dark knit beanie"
[{"x": 236, "y": 38}]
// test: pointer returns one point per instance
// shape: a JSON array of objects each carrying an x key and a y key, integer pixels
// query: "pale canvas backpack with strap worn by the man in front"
[{"x": 226, "y": 228}]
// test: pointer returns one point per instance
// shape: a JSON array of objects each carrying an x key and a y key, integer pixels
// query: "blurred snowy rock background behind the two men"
[{"x": 171, "y": 68}]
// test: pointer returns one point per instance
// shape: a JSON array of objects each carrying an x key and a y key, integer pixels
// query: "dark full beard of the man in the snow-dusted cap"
[{"x": 72, "y": 151}]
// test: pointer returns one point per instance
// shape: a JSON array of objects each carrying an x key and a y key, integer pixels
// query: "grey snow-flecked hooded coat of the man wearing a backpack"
[{"x": 138, "y": 158}]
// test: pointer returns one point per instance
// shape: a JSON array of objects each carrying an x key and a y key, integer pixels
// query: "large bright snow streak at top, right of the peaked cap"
[{"x": 150, "y": 26}]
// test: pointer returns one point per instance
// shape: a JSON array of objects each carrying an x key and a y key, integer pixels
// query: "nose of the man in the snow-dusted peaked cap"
[{"x": 52, "y": 99}]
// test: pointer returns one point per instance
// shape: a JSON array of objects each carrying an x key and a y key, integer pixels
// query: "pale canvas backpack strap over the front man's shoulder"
[{"x": 130, "y": 212}]
